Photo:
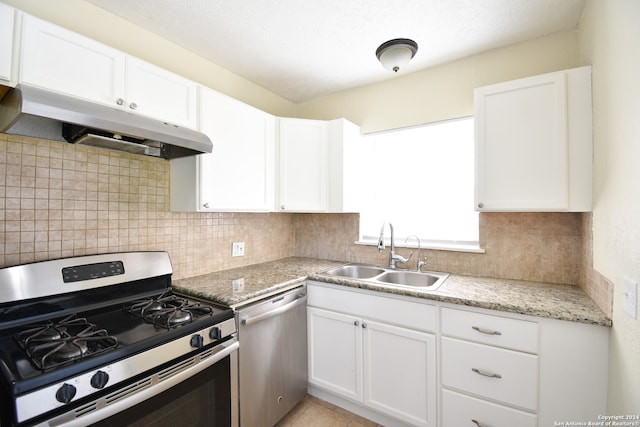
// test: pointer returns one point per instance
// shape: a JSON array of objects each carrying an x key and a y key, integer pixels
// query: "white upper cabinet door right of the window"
[{"x": 521, "y": 145}]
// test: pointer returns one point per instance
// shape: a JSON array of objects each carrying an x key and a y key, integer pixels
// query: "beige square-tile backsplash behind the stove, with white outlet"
[{"x": 59, "y": 200}]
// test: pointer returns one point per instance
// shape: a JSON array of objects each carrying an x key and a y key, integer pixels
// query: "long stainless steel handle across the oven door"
[{"x": 223, "y": 350}]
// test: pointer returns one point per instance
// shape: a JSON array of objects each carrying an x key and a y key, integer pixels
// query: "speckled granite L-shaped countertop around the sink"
[{"x": 564, "y": 302}]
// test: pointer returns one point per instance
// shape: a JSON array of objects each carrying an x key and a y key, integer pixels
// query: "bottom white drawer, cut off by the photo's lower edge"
[{"x": 464, "y": 411}]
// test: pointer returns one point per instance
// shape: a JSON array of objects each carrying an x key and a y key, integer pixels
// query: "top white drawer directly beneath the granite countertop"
[{"x": 493, "y": 330}]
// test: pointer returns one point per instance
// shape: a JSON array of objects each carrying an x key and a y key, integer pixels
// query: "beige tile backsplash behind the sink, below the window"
[{"x": 542, "y": 247}]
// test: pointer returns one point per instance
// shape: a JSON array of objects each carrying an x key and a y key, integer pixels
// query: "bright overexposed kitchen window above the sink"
[{"x": 422, "y": 181}]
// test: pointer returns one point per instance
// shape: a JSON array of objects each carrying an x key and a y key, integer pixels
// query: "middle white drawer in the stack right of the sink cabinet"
[{"x": 498, "y": 374}]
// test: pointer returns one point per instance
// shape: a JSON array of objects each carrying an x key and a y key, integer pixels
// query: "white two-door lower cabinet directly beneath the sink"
[{"x": 358, "y": 351}]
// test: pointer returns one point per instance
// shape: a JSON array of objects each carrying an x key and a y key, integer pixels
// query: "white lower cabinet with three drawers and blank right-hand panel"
[{"x": 502, "y": 370}]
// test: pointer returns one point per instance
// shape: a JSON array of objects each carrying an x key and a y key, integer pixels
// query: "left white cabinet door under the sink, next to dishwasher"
[{"x": 335, "y": 352}]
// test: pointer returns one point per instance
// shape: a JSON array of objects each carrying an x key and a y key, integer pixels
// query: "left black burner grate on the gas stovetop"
[{"x": 60, "y": 342}]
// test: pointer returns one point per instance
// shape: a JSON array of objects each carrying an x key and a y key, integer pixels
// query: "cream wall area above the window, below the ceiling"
[{"x": 446, "y": 91}]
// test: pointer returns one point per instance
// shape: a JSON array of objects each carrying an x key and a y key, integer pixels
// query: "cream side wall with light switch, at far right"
[{"x": 609, "y": 34}]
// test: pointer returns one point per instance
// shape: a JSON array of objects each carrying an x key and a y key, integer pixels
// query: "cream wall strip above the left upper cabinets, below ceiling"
[{"x": 105, "y": 27}]
